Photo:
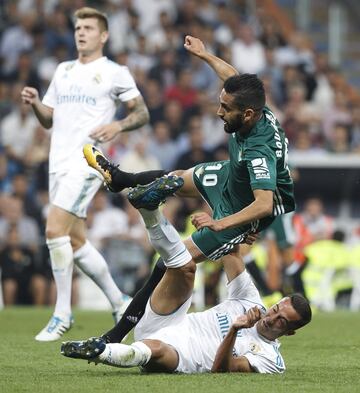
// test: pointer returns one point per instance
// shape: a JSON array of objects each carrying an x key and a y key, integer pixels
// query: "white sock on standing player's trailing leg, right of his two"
[{"x": 93, "y": 264}]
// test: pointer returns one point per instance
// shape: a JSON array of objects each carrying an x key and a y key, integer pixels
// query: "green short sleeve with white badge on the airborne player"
[{"x": 261, "y": 165}]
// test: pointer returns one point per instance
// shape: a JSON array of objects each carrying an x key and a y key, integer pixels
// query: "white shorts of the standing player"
[{"x": 73, "y": 191}]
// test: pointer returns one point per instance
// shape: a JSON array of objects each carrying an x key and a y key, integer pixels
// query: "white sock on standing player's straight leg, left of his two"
[{"x": 61, "y": 256}]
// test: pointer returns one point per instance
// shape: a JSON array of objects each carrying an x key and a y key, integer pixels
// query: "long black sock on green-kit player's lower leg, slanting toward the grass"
[{"x": 136, "y": 308}]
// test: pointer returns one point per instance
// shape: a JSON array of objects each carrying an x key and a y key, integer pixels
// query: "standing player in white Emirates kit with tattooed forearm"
[{"x": 80, "y": 105}]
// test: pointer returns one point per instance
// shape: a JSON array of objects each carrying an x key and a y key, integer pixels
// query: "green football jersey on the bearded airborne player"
[{"x": 258, "y": 160}]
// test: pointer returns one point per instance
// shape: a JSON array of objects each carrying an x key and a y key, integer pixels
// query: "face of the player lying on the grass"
[{"x": 275, "y": 322}]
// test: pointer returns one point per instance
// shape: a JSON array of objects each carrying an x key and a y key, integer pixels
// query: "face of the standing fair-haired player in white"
[{"x": 88, "y": 36}]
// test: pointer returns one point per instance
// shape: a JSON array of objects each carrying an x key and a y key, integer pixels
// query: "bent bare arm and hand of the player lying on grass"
[{"x": 224, "y": 359}]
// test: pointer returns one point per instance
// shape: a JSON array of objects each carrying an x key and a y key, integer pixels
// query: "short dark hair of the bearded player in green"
[{"x": 248, "y": 91}]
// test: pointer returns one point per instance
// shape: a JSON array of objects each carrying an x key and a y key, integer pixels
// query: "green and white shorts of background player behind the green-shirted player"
[{"x": 282, "y": 230}]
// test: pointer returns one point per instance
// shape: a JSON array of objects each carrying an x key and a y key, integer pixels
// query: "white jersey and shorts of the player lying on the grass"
[{"x": 197, "y": 336}]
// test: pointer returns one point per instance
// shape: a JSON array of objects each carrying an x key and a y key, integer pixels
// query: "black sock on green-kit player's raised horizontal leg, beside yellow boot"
[{"x": 121, "y": 179}]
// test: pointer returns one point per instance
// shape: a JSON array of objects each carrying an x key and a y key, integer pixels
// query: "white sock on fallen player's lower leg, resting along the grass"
[{"x": 122, "y": 355}]
